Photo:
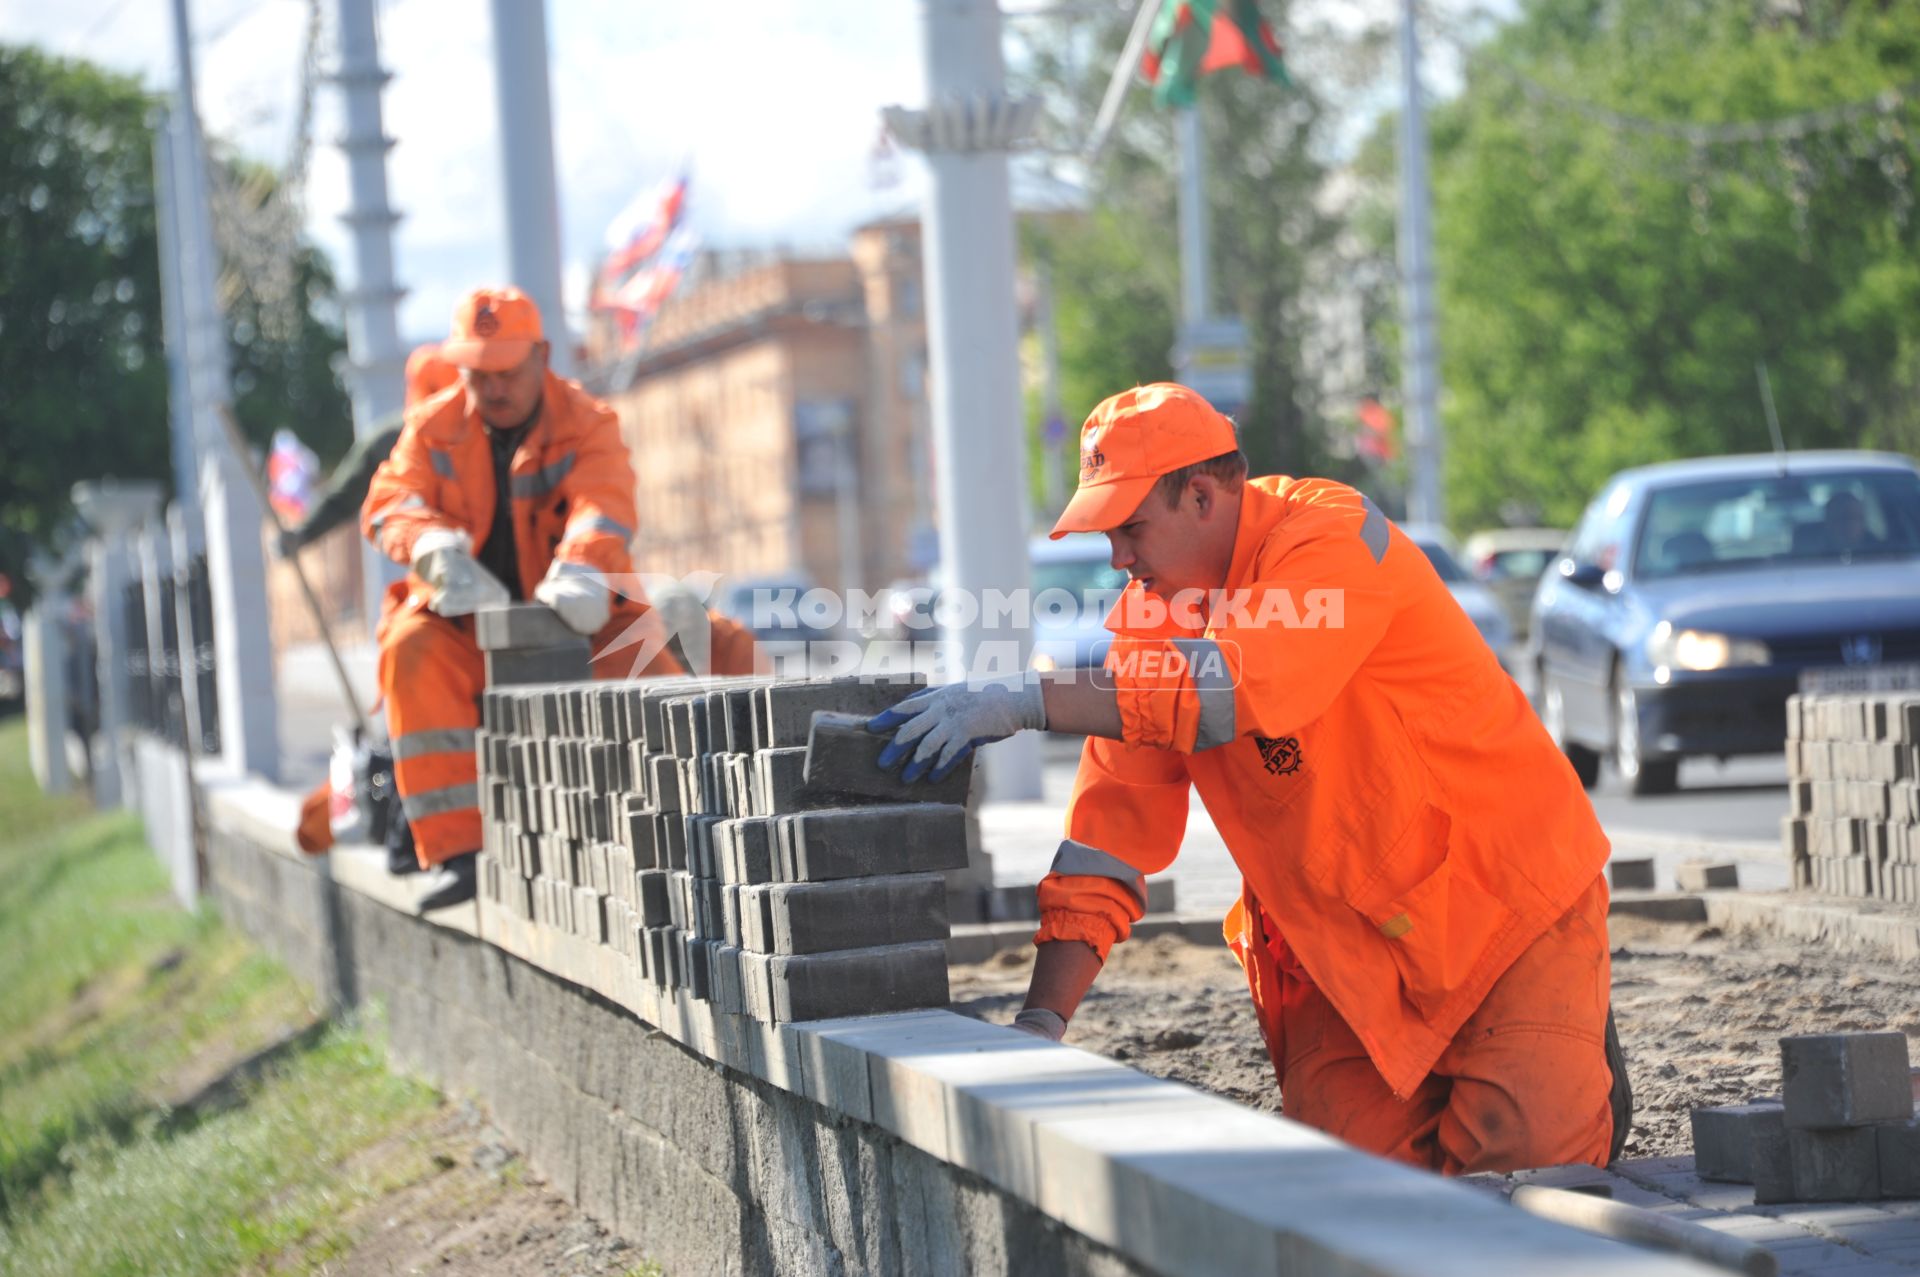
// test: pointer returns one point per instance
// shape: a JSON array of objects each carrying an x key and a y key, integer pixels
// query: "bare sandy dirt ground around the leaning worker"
[{"x": 1700, "y": 1015}]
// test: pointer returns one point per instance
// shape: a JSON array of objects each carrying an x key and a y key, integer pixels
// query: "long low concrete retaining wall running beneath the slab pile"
[{"x": 911, "y": 1144}]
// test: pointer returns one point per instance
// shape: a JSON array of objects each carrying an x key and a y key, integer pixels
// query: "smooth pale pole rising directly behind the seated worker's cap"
[{"x": 527, "y": 164}]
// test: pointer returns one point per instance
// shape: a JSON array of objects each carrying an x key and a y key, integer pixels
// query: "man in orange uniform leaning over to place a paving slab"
[{"x": 1424, "y": 921}]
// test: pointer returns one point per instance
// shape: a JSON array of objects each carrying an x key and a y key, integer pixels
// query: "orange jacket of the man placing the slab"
[{"x": 1383, "y": 786}]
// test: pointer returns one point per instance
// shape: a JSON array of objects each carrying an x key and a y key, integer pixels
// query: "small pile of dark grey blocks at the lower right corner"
[{"x": 1842, "y": 1130}]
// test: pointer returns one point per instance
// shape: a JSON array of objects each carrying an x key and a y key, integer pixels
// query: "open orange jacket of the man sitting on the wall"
[{"x": 571, "y": 491}]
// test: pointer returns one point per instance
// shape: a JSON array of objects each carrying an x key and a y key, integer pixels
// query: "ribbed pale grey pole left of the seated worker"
[{"x": 379, "y": 372}]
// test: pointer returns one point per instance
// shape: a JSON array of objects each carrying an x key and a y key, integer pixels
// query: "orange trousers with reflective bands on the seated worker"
[{"x": 431, "y": 677}]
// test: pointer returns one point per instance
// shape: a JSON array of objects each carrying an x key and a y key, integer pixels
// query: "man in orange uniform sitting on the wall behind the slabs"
[{"x": 512, "y": 485}]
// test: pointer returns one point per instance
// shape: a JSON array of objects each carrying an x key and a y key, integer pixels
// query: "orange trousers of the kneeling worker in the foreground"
[{"x": 1525, "y": 1082}]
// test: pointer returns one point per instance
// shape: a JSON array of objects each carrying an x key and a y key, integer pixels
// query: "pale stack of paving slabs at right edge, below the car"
[{"x": 1854, "y": 765}]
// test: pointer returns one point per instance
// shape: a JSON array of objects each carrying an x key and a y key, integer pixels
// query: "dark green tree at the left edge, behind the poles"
[{"x": 84, "y": 379}]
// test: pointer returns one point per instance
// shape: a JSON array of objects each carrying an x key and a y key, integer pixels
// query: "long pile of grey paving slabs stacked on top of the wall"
[{"x": 688, "y": 827}]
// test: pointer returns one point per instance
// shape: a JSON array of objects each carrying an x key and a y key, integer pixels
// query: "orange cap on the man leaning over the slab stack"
[{"x": 1130, "y": 443}]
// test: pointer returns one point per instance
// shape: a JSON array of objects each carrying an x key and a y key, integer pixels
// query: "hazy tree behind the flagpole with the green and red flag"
[{"x": 1116, "y": 277}]
